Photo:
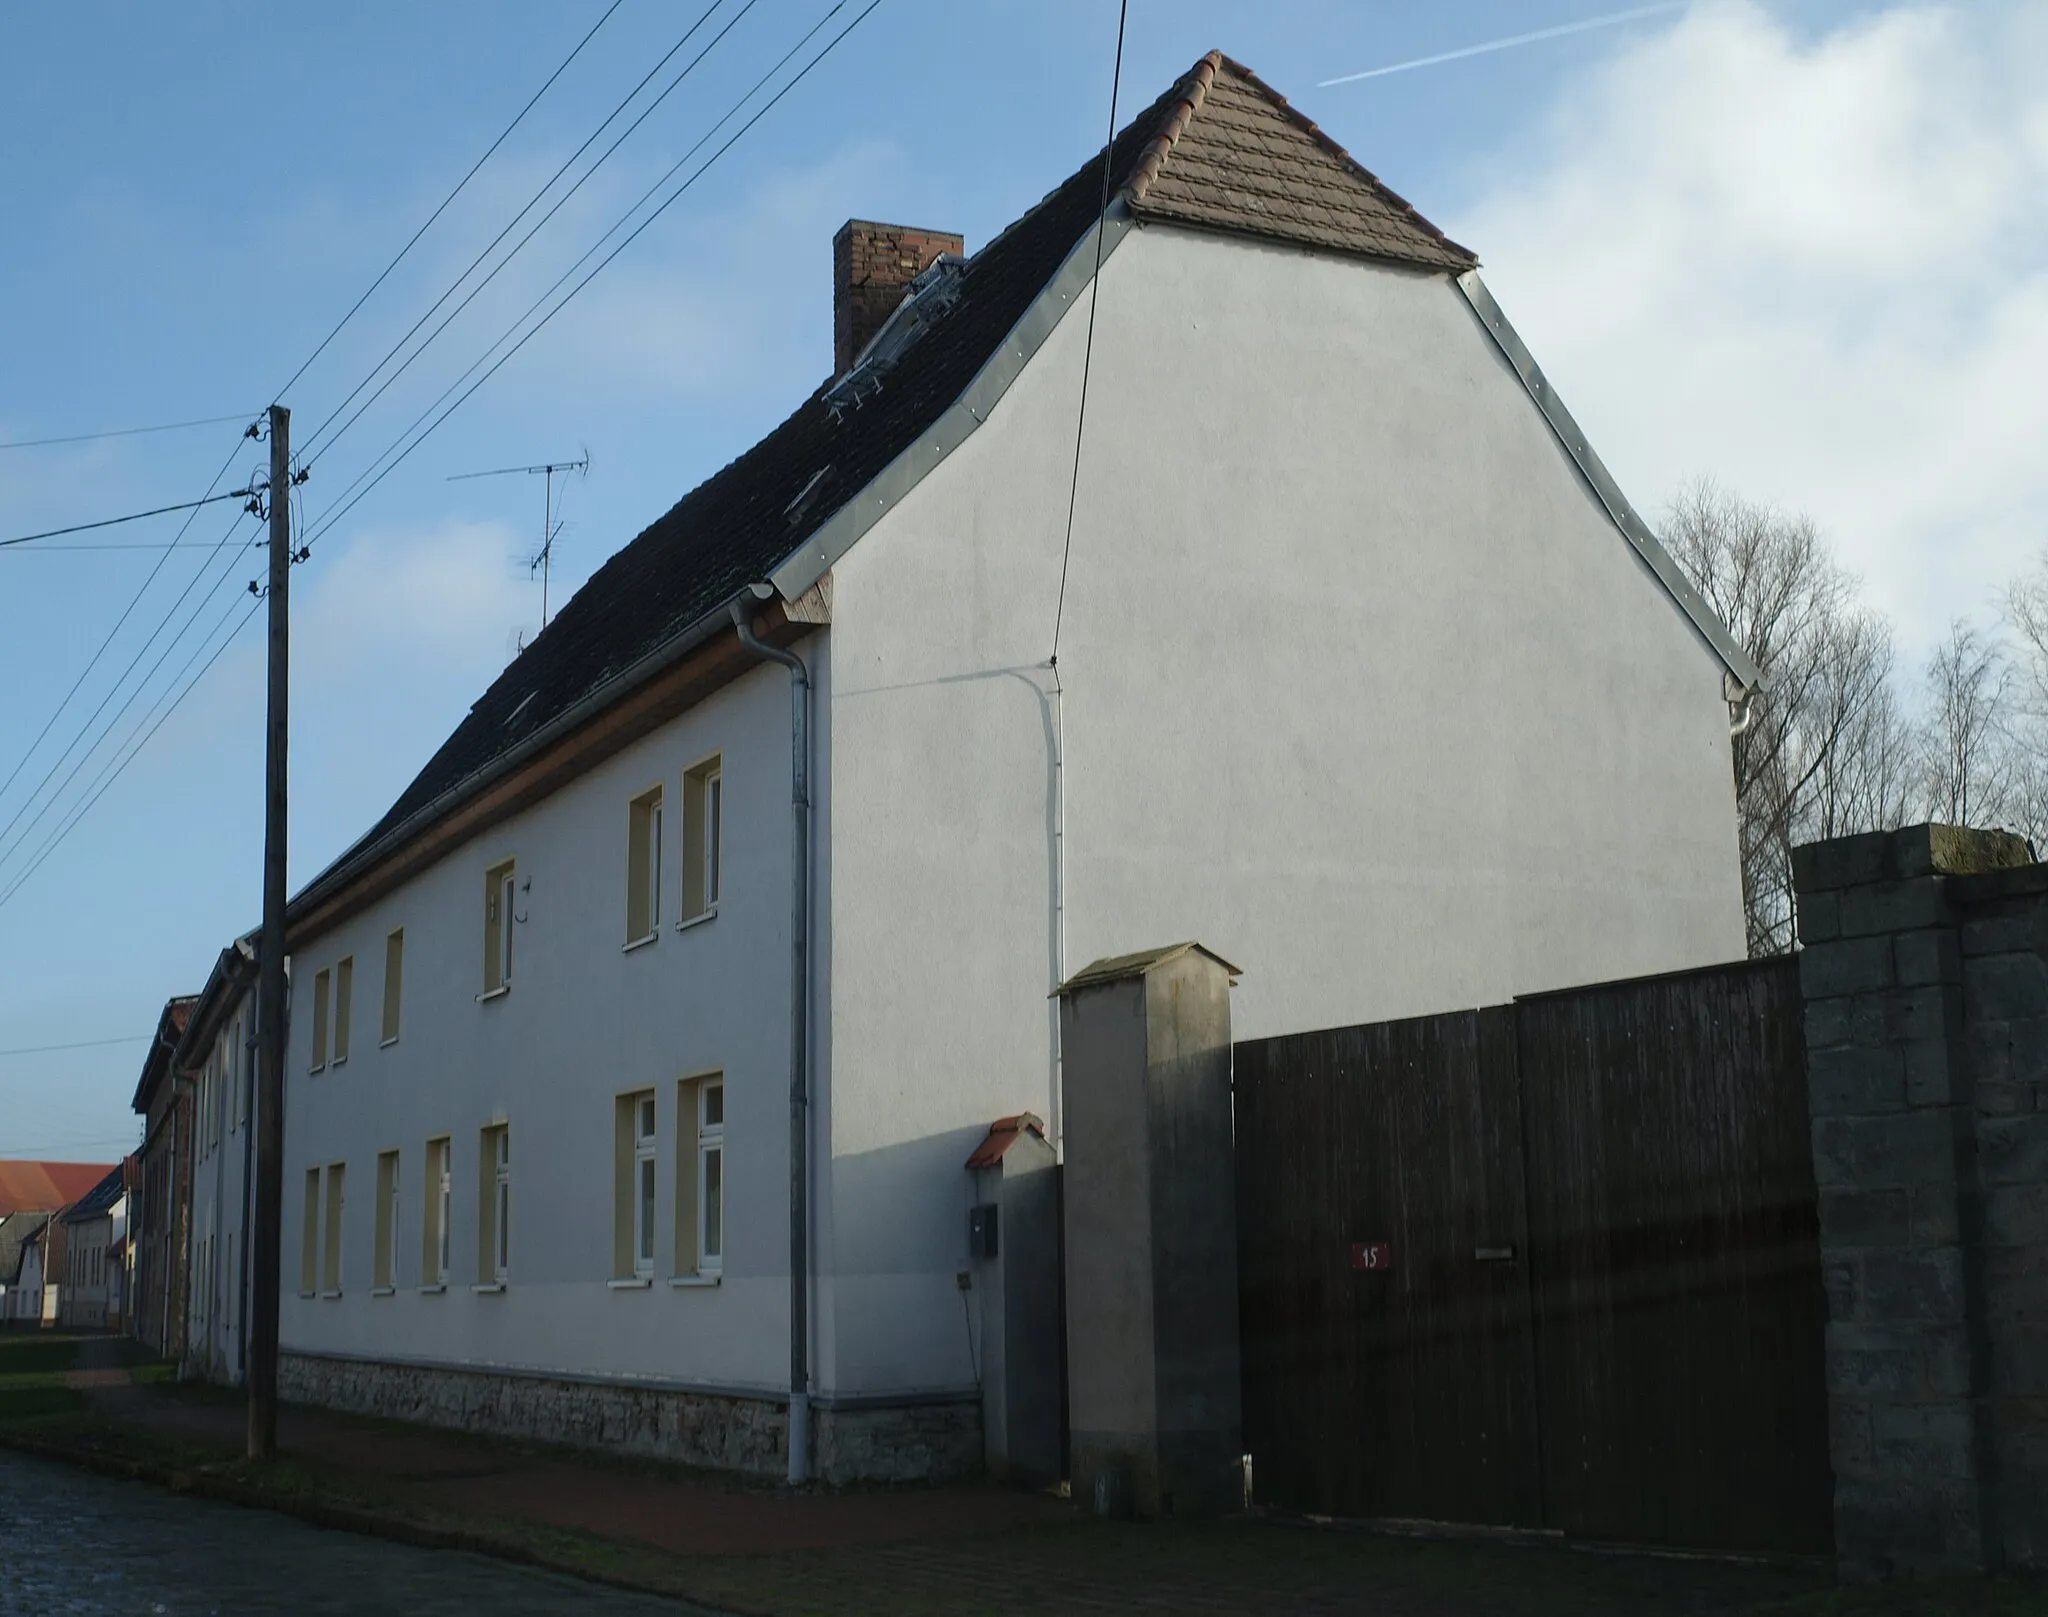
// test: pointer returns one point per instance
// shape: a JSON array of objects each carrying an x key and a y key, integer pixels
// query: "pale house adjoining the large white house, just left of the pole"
[{"x": 216, "y": 1059}]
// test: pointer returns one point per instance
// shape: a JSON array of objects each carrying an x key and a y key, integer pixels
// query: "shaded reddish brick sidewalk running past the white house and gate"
[{"x": 943, "y": 1553}]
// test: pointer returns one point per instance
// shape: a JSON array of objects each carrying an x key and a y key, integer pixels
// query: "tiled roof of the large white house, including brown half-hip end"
[{"x": 1218, "y": 150}]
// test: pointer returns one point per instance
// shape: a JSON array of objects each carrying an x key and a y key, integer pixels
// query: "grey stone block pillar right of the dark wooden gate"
[{"x": 1895, "y": 1162}]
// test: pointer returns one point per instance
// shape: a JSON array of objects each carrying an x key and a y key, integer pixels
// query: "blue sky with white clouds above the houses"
[{"x": 1789, "y": 245}]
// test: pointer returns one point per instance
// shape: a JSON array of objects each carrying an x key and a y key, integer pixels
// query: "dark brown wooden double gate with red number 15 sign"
[{"x": 1549, "y": 1264}]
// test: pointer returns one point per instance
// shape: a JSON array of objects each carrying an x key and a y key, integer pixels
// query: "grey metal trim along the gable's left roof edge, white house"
[{"x": 959, "y": 421}]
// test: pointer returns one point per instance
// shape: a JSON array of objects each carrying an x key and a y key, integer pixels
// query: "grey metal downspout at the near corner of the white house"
[{"x": 800, "y": 1004}]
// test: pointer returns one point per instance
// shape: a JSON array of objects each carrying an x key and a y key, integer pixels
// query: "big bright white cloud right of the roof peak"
[{"x": 1809, "y": 267}]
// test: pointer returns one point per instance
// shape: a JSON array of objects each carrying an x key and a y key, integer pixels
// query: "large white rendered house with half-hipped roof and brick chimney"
[{"x": 1365, "y": 676}]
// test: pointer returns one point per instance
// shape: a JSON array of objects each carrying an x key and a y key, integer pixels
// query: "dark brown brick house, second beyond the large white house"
[{"x": 163, "y": 1215}]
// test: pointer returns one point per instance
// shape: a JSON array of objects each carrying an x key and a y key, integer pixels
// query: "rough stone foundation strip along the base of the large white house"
[{"x": 722, "y": 1432}]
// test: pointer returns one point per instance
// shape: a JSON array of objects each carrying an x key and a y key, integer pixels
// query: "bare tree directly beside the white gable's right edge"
[{"x": 1826, "y": 750}]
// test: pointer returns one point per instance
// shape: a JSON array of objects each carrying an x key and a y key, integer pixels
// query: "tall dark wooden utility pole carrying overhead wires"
[{"x": 267, "y": 1239}]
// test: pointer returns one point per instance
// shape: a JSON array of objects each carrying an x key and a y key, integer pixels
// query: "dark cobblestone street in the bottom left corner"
[{"x": 91, "y": 1546}]
